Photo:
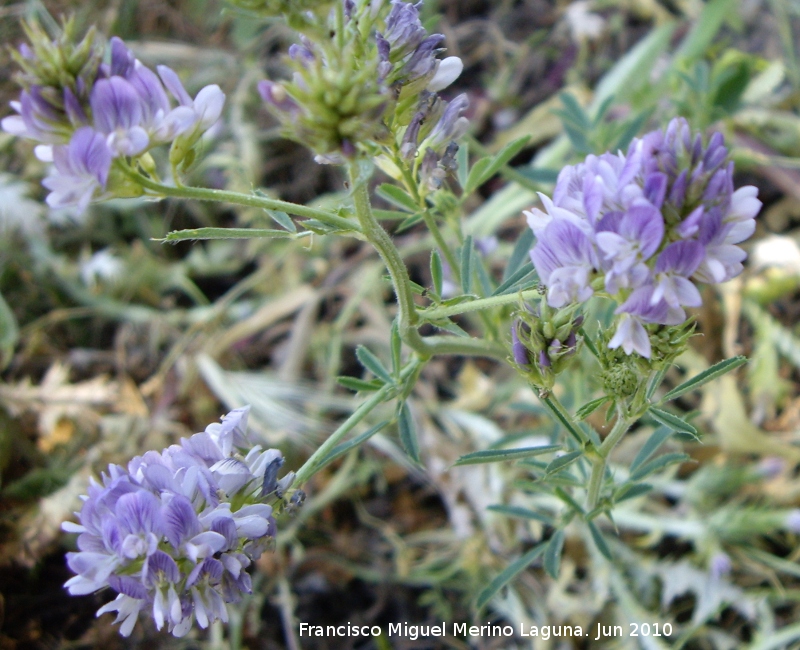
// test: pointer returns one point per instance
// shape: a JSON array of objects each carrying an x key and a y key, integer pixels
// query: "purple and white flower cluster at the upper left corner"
[{"x": 118, "y": 109}]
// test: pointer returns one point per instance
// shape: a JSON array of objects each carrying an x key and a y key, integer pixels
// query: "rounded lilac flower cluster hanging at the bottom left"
[{"x": 174, "y": 533}]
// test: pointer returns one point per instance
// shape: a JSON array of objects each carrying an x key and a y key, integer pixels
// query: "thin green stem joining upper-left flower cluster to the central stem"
[{"x": 237, "y": 198}]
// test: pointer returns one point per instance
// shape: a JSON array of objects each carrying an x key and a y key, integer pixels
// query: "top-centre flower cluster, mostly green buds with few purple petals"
[{"x": 399, "y": 76}]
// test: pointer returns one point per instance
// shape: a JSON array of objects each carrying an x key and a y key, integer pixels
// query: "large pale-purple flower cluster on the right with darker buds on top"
[{"x": 645, "y": 227}]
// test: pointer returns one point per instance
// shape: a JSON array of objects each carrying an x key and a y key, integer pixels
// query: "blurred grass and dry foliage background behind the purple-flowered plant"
[{"x": 112, "y": 343}]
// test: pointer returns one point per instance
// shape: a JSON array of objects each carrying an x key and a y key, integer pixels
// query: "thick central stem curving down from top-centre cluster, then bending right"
[{"x": 407, "y": 316}]
